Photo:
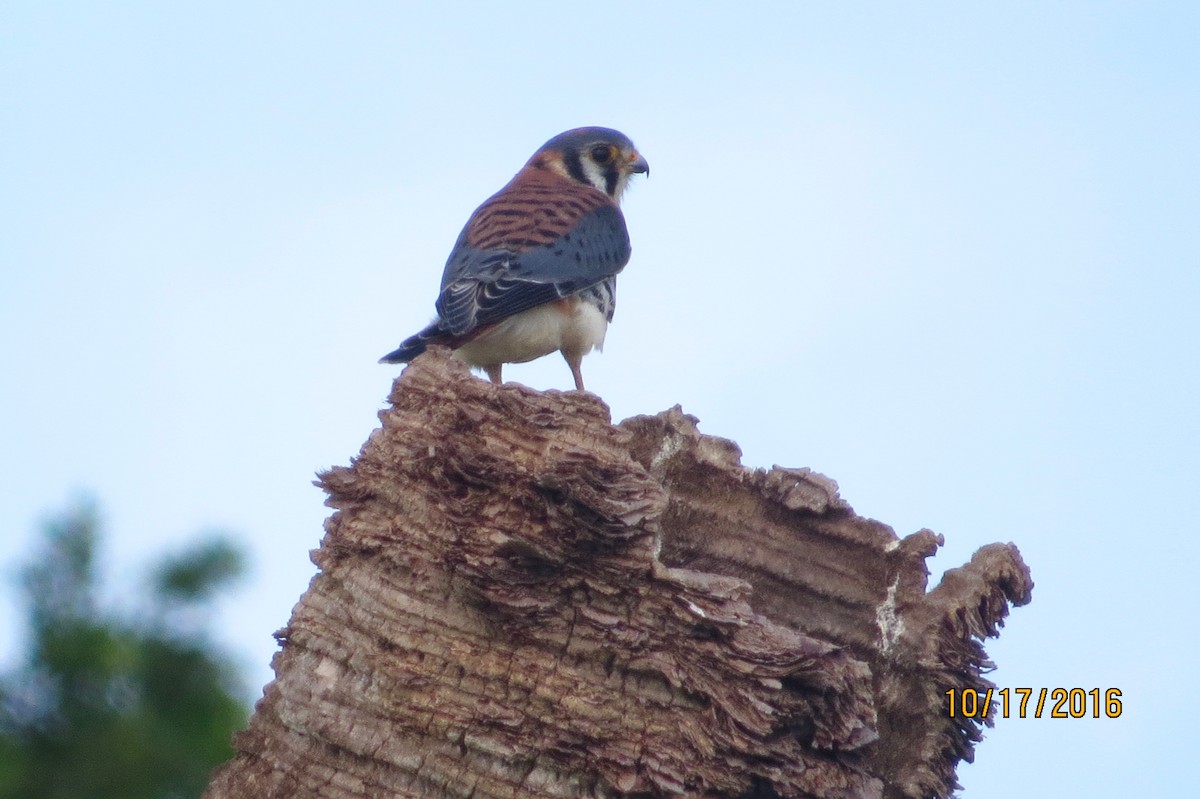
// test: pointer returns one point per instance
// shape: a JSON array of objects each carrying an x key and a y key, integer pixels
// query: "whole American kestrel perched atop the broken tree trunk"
[{"x": 536, "y": 268}]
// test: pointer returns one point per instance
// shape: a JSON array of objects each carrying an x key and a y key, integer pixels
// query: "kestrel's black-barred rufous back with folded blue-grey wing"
[{"x": 539, "y": 239}]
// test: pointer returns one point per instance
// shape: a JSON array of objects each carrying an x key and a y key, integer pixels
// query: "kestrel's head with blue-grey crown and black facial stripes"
[{"x": 595, "y": 157}]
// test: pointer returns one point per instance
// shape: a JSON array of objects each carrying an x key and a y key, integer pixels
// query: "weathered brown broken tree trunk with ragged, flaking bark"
[{"x": 519, "y": 599}]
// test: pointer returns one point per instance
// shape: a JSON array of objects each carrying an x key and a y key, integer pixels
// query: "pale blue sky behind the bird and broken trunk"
[{"x": 946, "y": 254}]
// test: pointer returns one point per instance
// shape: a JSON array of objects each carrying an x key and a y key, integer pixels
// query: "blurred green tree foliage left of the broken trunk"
[{"x": 115, "y": 708}]
